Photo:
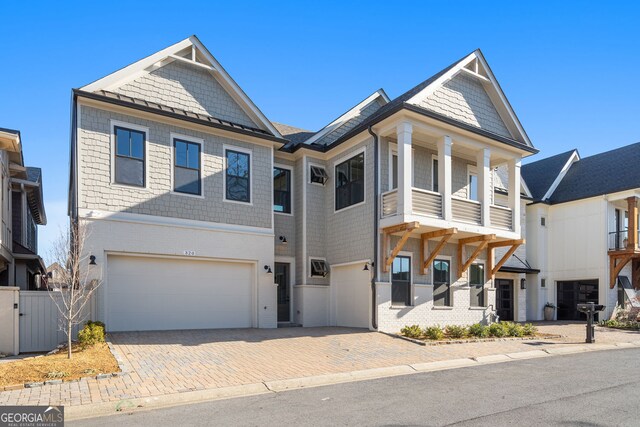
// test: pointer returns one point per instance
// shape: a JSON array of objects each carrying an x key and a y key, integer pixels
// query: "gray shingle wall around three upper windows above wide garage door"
[{"x": 97, "y": 191}]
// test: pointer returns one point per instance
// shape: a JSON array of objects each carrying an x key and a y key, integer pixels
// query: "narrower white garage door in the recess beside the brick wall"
[{"x": 352, "y": 290}]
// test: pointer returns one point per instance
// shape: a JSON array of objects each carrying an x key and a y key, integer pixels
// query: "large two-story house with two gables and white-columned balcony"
[{"x": 398, "y": 212}]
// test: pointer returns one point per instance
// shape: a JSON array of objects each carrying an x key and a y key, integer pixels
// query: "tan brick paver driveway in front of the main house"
[{"x": 179, "y": 361}]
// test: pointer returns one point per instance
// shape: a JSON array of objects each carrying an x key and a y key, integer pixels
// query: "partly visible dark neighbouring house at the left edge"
[{"x": 22, "y": 211}]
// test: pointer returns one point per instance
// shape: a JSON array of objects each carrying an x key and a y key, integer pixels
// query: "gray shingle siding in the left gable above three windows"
[{"x": 188, "y": 88}]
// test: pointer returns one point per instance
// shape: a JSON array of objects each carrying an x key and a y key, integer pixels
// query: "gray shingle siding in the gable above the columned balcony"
[{"x": 463, "y": 98}]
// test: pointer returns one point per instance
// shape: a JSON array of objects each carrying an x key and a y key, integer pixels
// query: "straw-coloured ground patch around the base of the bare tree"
[{"x": 91, "y": 361}]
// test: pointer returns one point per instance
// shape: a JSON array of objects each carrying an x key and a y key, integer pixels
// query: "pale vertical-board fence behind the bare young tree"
[{"x": 40, "y": 321}]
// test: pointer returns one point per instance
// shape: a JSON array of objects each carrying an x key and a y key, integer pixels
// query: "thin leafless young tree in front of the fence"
[{"x": 75, "y": 281}]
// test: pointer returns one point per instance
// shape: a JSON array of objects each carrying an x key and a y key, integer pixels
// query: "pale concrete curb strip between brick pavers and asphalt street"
[{"x": 278, "y": 386}]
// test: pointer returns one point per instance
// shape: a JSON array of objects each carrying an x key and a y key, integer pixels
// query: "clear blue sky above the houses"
[{"x": 569, "y": 69}]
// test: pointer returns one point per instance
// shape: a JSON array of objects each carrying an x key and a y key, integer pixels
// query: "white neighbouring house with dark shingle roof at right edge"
[{"x": 583, "y": 230}]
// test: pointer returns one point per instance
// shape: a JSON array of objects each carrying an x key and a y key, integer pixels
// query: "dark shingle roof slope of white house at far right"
[{"x": 604, "y": 173}]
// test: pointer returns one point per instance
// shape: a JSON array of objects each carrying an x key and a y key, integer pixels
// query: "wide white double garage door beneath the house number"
[{"x": 144, "y": 294}]
